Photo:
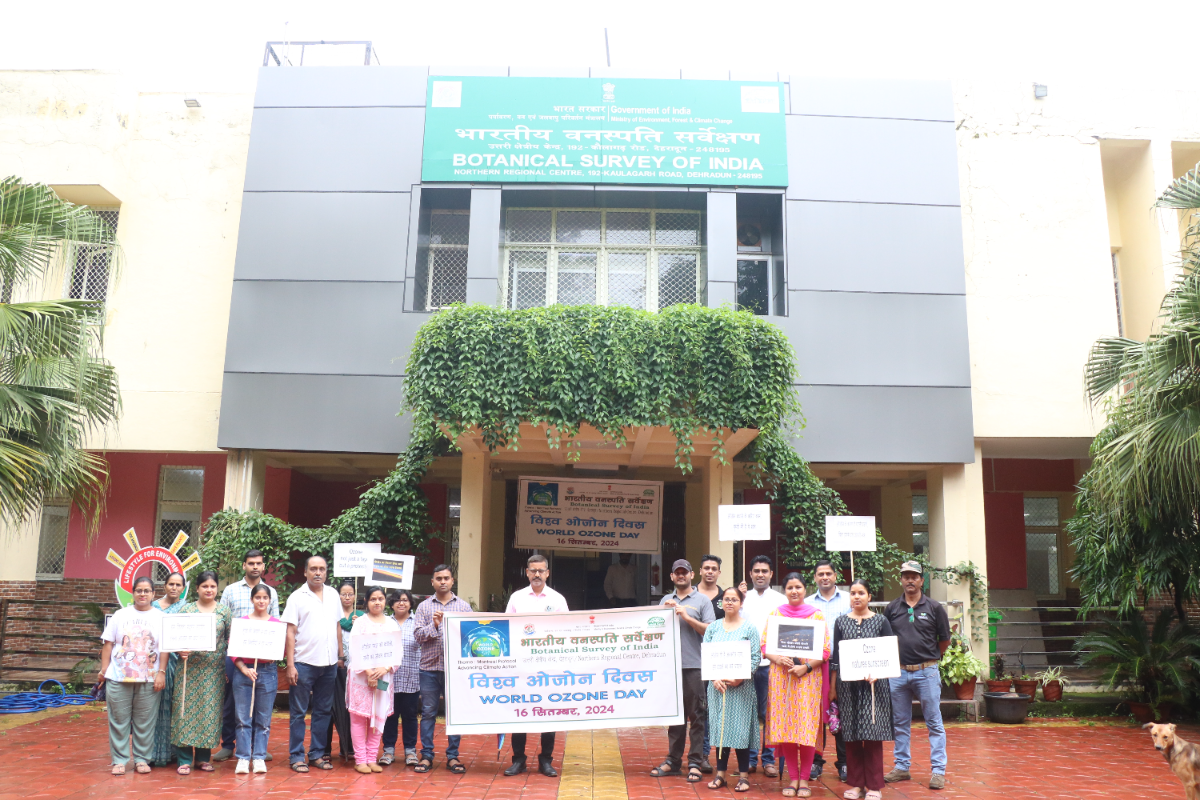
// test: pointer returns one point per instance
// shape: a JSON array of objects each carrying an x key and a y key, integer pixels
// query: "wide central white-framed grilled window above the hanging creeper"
[{"x": 628, "y": 257}]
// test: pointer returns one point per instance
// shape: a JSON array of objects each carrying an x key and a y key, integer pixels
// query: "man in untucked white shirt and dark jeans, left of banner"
[{"x": 314, "y": 653}]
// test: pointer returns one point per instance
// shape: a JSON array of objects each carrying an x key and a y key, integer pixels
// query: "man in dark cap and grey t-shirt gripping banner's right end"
[{"x": 695, "y": 613}]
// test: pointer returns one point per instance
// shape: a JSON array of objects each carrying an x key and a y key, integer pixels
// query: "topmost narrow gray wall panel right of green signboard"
[{"x": 904, "y": 100}]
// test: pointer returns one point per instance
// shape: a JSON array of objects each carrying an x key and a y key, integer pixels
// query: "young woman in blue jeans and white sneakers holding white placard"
[{"x": 254, "y": 694}]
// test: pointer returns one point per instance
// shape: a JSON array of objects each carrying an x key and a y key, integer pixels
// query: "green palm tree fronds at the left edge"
[{"x": 56, "y": 386}]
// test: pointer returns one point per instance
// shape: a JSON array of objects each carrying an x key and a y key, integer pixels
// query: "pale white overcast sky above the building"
[{"x": 218, "y": 45}]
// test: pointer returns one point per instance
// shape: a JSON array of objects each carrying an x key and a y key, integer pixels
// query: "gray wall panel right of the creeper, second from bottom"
[{"x": 890, "y": 340}]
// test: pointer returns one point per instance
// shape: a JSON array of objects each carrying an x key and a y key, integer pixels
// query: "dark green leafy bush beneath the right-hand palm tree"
[{"x": 1154, "y": 666}]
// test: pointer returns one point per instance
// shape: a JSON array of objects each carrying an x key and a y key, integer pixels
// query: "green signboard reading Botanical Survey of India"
[{"x": 605, "y": 131}]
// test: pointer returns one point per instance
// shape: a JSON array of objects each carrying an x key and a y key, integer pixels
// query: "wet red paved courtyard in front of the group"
[{"x": 65, "y": 755}]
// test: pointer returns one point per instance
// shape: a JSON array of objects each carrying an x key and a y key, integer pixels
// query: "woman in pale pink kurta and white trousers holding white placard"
[{"x": 369, "y": 695}]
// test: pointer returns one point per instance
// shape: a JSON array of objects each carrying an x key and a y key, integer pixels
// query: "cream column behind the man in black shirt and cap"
[{"x": 957, "y": 530}]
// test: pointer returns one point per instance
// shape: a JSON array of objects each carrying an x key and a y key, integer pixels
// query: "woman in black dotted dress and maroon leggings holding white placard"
[{"x": 865, "y": 707}]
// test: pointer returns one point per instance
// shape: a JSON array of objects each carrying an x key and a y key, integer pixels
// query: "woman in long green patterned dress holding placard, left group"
[{"x": 200, "y": 690}]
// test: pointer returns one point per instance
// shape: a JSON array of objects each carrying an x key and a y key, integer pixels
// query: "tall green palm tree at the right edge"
[{"x": 1136, "y": 530}]
